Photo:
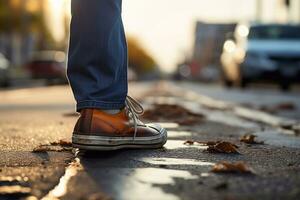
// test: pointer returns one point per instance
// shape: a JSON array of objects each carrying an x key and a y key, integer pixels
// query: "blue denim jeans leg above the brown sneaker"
[{"x": 97, "y": 59}]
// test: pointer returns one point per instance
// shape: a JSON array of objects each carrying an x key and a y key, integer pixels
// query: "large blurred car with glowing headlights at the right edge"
[{"x": 265, "y": 52}]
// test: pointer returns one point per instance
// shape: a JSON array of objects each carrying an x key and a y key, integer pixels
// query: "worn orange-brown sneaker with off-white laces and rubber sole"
[{"x": 98, "y": 130}]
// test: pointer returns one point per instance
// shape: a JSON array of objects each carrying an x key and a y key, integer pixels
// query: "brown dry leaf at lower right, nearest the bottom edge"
[{"x": 227, "y": 167}]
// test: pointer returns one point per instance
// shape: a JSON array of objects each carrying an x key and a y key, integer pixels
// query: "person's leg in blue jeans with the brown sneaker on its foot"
[{"x": 97, "y": 71}]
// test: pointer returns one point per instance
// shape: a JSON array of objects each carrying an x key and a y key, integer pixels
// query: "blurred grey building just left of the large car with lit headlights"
[{"x": 205, "y": 60}]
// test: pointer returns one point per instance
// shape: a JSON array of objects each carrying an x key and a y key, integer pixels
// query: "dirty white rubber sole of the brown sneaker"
[{"x": 103, "y": 143}]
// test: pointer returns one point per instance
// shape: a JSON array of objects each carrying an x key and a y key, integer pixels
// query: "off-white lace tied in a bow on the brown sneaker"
[{"x": 134, "y": 109}]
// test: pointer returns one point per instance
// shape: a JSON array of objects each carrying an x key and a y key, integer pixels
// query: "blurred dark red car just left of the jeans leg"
[{"x": 48, "y": 65}]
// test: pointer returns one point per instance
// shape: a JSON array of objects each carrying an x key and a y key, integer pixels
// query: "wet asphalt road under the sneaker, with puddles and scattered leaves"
[{"x": 31, "y": 117}]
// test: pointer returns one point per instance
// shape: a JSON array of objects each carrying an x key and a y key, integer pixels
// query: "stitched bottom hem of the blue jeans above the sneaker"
[{"x": 99, "y": 105}]
